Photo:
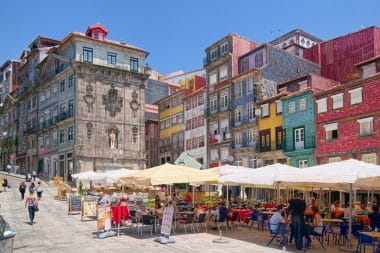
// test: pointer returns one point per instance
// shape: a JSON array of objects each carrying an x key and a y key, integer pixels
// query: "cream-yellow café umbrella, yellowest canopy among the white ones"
[{"x": 169, "y": 174}]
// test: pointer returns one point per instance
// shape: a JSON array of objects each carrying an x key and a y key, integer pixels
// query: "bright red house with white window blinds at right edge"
[{"x": 348, "y": 118}]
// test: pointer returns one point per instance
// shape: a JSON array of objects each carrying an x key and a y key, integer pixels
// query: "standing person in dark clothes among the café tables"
[{"x": 297, "y": 208}]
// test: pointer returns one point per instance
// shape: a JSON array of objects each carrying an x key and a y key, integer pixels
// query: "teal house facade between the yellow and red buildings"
[{"x": 301, "y": 124}]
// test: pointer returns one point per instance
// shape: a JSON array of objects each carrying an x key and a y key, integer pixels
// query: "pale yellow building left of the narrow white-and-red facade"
[{"x": 171, "y": 127}]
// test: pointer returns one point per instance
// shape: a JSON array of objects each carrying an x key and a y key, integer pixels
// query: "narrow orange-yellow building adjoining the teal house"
[{"x": 271, "y": 135}]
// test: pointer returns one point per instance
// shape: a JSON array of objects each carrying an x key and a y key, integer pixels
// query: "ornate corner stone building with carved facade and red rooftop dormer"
[{"x": 90, "y": 106}]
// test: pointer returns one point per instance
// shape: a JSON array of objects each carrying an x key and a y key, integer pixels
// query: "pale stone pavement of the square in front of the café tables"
[{"x": 56, "y": 231}]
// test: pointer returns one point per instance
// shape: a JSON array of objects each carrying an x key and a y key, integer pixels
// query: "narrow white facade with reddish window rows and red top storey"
[{"x": 195, "y": 121}]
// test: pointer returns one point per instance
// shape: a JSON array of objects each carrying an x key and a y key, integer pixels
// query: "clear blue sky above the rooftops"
[{"x": 177, "y": 32}]
